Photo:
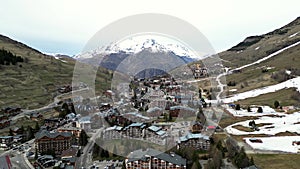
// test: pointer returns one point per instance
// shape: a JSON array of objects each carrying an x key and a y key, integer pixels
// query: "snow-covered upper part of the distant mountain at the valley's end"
[{"x": 116, "y": 52}]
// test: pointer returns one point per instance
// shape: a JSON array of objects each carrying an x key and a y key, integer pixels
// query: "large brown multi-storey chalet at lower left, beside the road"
[{"x": 58, "y": 141}]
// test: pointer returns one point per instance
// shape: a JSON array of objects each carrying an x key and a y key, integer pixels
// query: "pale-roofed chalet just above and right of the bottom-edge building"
[{"x": 196, "y": 141}]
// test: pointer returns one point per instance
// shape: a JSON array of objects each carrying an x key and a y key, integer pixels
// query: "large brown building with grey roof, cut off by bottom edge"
[{"x": 151, "y": 158}]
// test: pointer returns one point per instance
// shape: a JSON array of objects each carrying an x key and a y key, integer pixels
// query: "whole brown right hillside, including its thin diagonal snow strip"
[{"x": 264, "y": 60}]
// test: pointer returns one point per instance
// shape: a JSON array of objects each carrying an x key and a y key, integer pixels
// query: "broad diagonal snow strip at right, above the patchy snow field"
[{"x": 295, "y": 82}]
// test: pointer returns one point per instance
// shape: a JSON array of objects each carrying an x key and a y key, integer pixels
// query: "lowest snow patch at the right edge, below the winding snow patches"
[{"x": 283, "y": 143}]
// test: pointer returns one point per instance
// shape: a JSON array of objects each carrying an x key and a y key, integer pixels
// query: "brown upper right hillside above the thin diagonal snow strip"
[{"x": 257, "y": 47}]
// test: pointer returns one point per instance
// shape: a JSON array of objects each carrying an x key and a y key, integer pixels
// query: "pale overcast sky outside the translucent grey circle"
[{"x": 65, "y": 26}]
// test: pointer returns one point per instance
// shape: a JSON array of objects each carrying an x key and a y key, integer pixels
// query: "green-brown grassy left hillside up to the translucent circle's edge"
[{"x": 34, "y": 82}]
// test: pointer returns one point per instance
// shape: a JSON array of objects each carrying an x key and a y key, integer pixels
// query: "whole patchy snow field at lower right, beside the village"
[{"x": 272, "y": 125}]
